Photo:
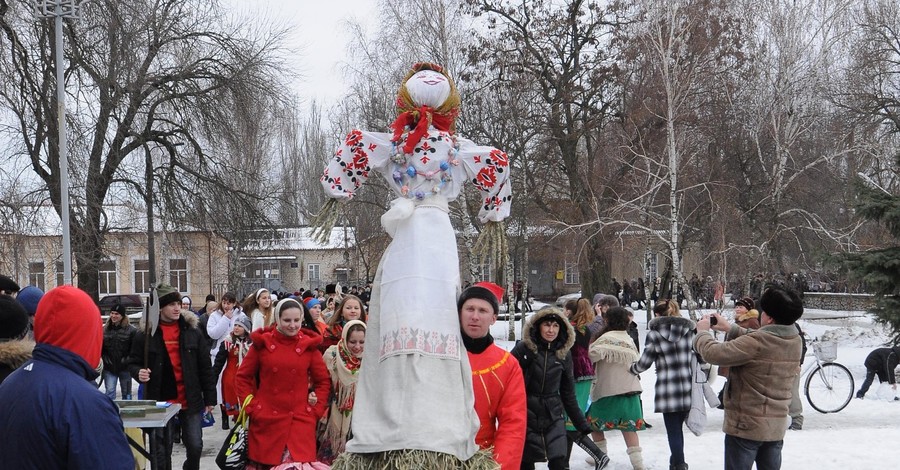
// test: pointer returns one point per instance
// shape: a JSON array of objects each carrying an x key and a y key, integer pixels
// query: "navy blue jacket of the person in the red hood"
[{"x": 53, "y": 417}]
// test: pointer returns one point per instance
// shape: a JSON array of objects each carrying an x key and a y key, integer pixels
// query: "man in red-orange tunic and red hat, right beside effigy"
[{"x": 496, "y": 377}]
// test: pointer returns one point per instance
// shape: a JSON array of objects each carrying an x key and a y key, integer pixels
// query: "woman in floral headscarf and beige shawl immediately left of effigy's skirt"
[{"x": 342, "y": 361}]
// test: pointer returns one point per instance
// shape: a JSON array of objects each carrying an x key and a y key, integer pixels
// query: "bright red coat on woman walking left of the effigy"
[{"x": 279, "y": 412}]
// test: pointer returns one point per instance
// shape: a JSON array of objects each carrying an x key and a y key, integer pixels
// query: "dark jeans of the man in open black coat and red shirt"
[{"x": 191, "y": 436}]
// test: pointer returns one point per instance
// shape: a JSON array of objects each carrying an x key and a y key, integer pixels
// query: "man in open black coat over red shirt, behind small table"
[{"x": 178, "y": 370}]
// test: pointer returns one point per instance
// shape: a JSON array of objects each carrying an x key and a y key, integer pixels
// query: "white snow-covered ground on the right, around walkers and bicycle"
[{"x": 865, "y": 434}]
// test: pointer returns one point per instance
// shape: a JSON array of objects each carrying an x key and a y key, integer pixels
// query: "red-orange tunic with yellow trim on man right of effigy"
[{"x": 500, "y": 404}]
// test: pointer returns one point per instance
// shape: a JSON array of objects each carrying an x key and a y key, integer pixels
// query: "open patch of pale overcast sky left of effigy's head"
[{"x": 319, "y": 39}]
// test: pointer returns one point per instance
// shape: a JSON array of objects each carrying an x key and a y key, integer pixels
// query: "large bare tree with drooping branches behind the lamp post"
[{"x": 141, "y": 73}]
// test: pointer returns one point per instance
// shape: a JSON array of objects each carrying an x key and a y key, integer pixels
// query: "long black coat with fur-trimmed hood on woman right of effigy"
[{"x": 549, "y": 387}]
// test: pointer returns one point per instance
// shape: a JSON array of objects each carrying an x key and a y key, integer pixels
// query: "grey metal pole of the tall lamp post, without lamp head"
[{"x": 63, "y": 149}]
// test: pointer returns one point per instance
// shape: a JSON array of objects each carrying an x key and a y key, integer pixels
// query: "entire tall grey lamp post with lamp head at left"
[{"x": 59, "y": 9}]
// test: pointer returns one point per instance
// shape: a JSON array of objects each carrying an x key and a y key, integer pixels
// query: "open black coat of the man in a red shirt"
[{"x": 196, "y": 366}]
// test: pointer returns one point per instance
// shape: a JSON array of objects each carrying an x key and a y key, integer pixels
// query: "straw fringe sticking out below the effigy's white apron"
[{"x": 414, "y": 459}]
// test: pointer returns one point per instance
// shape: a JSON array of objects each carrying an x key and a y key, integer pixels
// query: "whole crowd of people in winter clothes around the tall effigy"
[{"x": 573, "y": 377}]
